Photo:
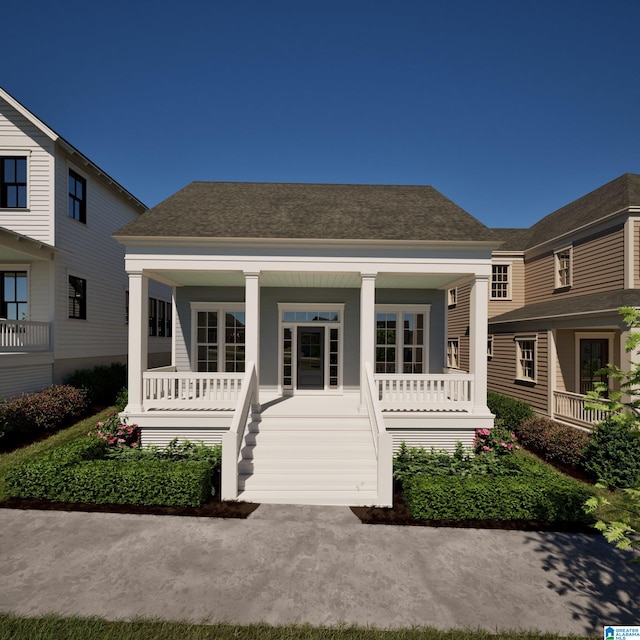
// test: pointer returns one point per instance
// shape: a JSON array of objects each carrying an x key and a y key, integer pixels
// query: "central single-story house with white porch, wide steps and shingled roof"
[{"x": 309, "y": 332}]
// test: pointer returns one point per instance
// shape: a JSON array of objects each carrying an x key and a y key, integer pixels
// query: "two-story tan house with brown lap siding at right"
[{"x": 554, "y": 300}]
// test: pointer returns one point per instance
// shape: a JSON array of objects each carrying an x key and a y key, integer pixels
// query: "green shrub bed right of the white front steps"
[{"x": 505, "y": 488}]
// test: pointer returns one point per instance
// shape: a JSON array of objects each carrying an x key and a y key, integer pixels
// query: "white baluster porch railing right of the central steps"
[{"x": 427, "y": 392}]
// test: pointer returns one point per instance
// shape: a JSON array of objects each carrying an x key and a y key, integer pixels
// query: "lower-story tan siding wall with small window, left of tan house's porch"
[{"x": 502, "y": 371}]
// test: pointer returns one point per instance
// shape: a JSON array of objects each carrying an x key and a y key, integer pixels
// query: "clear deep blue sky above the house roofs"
[{"x": 510, "y": 108}]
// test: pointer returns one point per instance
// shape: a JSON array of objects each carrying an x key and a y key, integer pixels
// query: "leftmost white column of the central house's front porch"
[{"x": 138, "y": 338}]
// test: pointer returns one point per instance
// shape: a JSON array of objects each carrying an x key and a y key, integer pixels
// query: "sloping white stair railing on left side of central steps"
[{"x": 232, "y": 439}]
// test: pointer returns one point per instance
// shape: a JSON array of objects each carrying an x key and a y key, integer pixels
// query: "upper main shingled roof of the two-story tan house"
[{"x": 618, "y": 194}]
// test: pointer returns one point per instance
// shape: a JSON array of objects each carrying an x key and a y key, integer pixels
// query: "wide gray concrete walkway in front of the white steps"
[{"x": 311, "y": 564}]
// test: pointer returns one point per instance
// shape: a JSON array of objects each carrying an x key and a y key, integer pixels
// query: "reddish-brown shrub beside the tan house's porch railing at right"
[{"x": 553, "y": 441}]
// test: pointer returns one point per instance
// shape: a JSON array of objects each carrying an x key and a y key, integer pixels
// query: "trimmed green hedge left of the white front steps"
[{"x": 77, "y": 473}]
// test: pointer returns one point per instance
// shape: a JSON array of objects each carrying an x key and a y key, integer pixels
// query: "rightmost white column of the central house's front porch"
[{"x": 478, "y": 336}]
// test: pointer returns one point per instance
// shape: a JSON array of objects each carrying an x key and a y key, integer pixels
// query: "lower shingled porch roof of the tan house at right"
[{"x": 572, "y": 305}]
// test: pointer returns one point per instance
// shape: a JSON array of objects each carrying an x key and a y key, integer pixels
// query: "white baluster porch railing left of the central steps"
[{"x": 163, "y": 389}]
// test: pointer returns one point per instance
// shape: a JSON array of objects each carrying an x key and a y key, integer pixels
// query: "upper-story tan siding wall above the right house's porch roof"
[{"x": 598, "y": 266}]
